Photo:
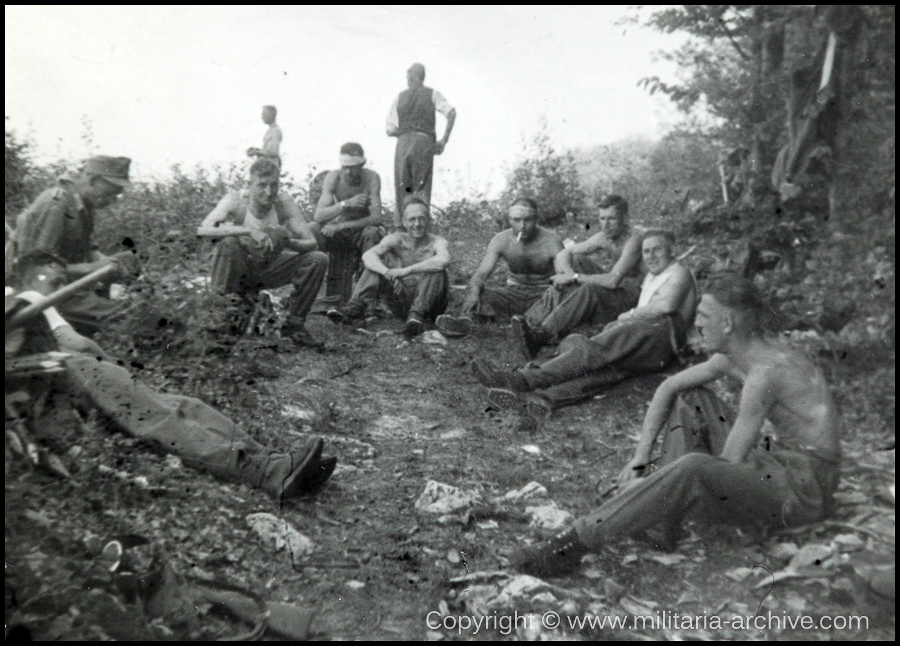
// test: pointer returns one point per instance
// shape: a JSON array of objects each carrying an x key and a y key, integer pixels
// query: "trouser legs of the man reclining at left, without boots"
[{"x": 187, "y": 427}]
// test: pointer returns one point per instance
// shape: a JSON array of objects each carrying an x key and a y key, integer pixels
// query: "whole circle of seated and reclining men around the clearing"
[{"x": 711, "y": 463}]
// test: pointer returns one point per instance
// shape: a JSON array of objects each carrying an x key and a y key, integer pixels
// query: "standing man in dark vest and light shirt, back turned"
[{"x": 412, "y": 121}]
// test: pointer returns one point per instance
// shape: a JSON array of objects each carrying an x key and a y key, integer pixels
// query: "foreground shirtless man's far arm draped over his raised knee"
[{"x": 658, "y": 411}]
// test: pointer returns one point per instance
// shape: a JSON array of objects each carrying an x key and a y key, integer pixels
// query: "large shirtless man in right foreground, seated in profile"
[{"x": 714, "y": 466}]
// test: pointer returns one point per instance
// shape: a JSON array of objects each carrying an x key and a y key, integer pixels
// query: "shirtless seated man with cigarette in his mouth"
[{"x": 529, "y": 250}]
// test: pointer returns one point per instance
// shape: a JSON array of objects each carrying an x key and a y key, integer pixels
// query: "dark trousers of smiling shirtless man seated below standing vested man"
[{"x": 422, "y": 295}]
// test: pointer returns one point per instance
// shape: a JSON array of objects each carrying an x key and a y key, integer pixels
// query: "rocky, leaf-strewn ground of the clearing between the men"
[{"x": 397, "y": 415}]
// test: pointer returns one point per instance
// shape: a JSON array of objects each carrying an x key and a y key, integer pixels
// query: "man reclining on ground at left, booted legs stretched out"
[{"x": 187, "y": 427}]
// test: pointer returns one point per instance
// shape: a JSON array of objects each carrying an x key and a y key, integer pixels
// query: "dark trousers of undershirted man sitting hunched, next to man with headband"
[{"x": 236, "y": 271}]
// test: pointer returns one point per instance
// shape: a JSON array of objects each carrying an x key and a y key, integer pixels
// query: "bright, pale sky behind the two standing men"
[{"x": 168, "y": 85}]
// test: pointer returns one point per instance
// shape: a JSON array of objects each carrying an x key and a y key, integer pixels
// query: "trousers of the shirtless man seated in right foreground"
[{"x": 777, "y": 487}]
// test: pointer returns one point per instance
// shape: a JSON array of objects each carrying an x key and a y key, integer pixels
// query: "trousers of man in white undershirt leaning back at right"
[{"x": 634, "y": 345}]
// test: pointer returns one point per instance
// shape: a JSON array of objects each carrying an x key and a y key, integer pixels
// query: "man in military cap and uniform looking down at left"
[{"x": 61, "y": 221}]
